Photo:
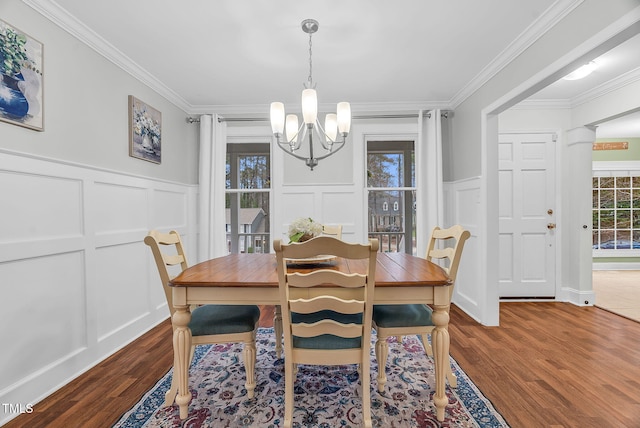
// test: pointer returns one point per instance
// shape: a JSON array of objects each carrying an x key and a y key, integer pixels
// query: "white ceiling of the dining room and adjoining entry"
[{"x": 239, "y": 55}]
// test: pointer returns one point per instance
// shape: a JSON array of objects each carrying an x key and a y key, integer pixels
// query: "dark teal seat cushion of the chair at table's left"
[{"x": 223, "y": 319}]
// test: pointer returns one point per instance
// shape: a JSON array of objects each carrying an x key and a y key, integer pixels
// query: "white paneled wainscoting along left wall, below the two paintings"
[{"x": 77, "y": 281}]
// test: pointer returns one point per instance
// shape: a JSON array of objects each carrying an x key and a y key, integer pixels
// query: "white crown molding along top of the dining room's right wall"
[{"x": 529, "y": 36}]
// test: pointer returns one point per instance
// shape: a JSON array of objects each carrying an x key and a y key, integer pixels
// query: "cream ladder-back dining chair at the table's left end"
[{"x": 210, "y": 324}]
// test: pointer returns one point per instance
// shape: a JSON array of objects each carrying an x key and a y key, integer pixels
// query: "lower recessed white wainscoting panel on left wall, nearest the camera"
[{"x": 44, "y": 313}]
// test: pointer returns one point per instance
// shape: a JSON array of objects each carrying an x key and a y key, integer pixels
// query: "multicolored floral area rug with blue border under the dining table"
[{"x": 326, "y": 396}]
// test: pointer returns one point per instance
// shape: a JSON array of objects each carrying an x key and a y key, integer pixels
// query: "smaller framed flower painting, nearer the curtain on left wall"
[{"x": 145, "y": 131}]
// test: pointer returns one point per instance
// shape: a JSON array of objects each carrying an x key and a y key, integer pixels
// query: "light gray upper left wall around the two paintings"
[{"x": 86, "y": 108}]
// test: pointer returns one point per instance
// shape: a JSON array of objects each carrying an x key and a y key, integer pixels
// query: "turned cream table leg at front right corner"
[{"x": 440, "y": 345}]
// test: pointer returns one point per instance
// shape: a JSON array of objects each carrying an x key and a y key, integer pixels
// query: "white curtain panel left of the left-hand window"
[{"x": 211, "y": 212}]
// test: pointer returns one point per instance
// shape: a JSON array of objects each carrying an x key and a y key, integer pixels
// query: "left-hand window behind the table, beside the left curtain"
[{"x": 247, "y": 197}]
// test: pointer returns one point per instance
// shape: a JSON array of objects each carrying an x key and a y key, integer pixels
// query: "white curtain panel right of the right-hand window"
[{"x": 429, "y": 200}]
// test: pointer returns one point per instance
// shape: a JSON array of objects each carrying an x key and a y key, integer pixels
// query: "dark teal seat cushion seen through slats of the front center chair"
[{"x": 326, "y": 341}]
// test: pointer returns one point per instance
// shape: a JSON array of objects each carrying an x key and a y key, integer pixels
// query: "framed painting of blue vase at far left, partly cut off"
[{"x": 21, "y": 78}]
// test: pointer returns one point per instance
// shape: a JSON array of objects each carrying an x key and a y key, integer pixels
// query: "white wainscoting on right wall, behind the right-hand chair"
[{"x": 462, "y": 199}]
